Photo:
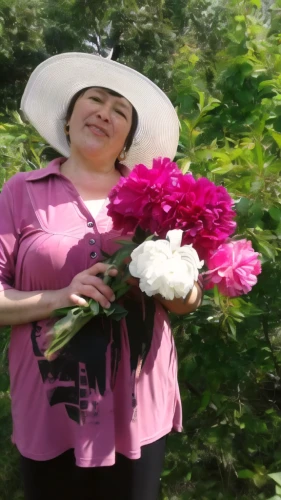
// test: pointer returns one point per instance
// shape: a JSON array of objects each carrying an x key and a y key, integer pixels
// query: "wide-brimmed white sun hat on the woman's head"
[{"x": 55, "y": 81}]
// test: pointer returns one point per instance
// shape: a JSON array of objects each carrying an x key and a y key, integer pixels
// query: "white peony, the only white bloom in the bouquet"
[{"x": 164, "y": 267}]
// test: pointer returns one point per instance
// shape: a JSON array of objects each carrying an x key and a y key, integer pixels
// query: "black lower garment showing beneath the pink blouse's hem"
[{"x": 61, "y": 479}]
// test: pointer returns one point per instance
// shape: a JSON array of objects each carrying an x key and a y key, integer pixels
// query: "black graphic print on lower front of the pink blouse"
[{"x": 78, "y": 376}]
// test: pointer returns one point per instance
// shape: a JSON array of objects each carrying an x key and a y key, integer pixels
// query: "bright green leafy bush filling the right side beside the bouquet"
[{"x": 229, "y": 350}]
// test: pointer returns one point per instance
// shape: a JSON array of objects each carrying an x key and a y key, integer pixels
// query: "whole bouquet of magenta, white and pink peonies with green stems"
[{"x": 179, "y": 223}]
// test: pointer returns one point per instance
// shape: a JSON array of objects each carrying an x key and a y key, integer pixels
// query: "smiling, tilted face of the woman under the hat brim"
[{"x": 100, "y": 124}]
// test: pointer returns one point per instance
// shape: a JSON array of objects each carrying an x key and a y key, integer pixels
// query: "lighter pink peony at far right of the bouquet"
[{"x": 233, "y": 267}]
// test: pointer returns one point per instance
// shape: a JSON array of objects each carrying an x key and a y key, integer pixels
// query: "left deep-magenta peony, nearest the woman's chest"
[{"x": 138, "y": 198}]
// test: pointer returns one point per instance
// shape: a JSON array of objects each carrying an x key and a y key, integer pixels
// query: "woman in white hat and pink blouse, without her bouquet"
[{"x": 90, "y": 424}]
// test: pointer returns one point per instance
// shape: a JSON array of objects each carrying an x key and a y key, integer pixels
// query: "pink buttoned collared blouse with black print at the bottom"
[{"x": 91, "y": 397}]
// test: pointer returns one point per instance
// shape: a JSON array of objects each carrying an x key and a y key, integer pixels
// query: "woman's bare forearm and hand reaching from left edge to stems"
[{"x": 17, "y": 307}]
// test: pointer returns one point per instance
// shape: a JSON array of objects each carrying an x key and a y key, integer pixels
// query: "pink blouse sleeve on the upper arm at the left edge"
[{"x": 9, "y": 237}]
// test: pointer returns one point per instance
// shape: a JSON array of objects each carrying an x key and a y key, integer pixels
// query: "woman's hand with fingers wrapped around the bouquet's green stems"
[{"x": 88, "y": 284}]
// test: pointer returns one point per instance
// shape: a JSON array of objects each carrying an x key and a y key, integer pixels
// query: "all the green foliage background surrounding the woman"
[{"x": 220, "y": 62}]
